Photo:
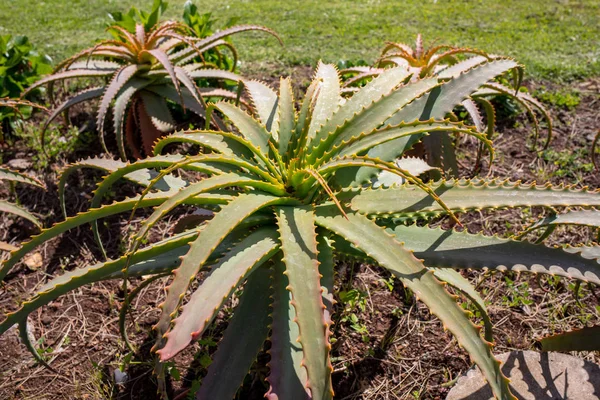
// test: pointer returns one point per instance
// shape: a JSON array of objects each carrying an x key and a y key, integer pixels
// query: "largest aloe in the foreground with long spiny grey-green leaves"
[{"x": 291, "y": 190}]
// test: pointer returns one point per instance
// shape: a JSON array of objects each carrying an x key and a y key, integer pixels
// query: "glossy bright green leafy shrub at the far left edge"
[{"x": 20, "y": 66}]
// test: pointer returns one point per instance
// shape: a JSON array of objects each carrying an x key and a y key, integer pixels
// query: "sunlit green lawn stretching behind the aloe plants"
[{"x": 555, "y": 39}]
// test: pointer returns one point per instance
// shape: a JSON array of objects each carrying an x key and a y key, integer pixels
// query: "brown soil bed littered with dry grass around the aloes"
[{"x": 387, "y": 345}]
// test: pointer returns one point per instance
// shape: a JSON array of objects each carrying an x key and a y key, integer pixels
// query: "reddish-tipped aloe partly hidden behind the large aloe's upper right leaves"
[{"x": 445, "y": 62}]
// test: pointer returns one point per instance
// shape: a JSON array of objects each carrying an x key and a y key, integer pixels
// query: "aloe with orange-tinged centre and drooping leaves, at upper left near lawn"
[{"x": 142, "y": 73}]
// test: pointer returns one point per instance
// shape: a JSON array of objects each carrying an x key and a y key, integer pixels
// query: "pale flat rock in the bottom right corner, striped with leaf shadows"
[{"x": 535, "y": 376}]
